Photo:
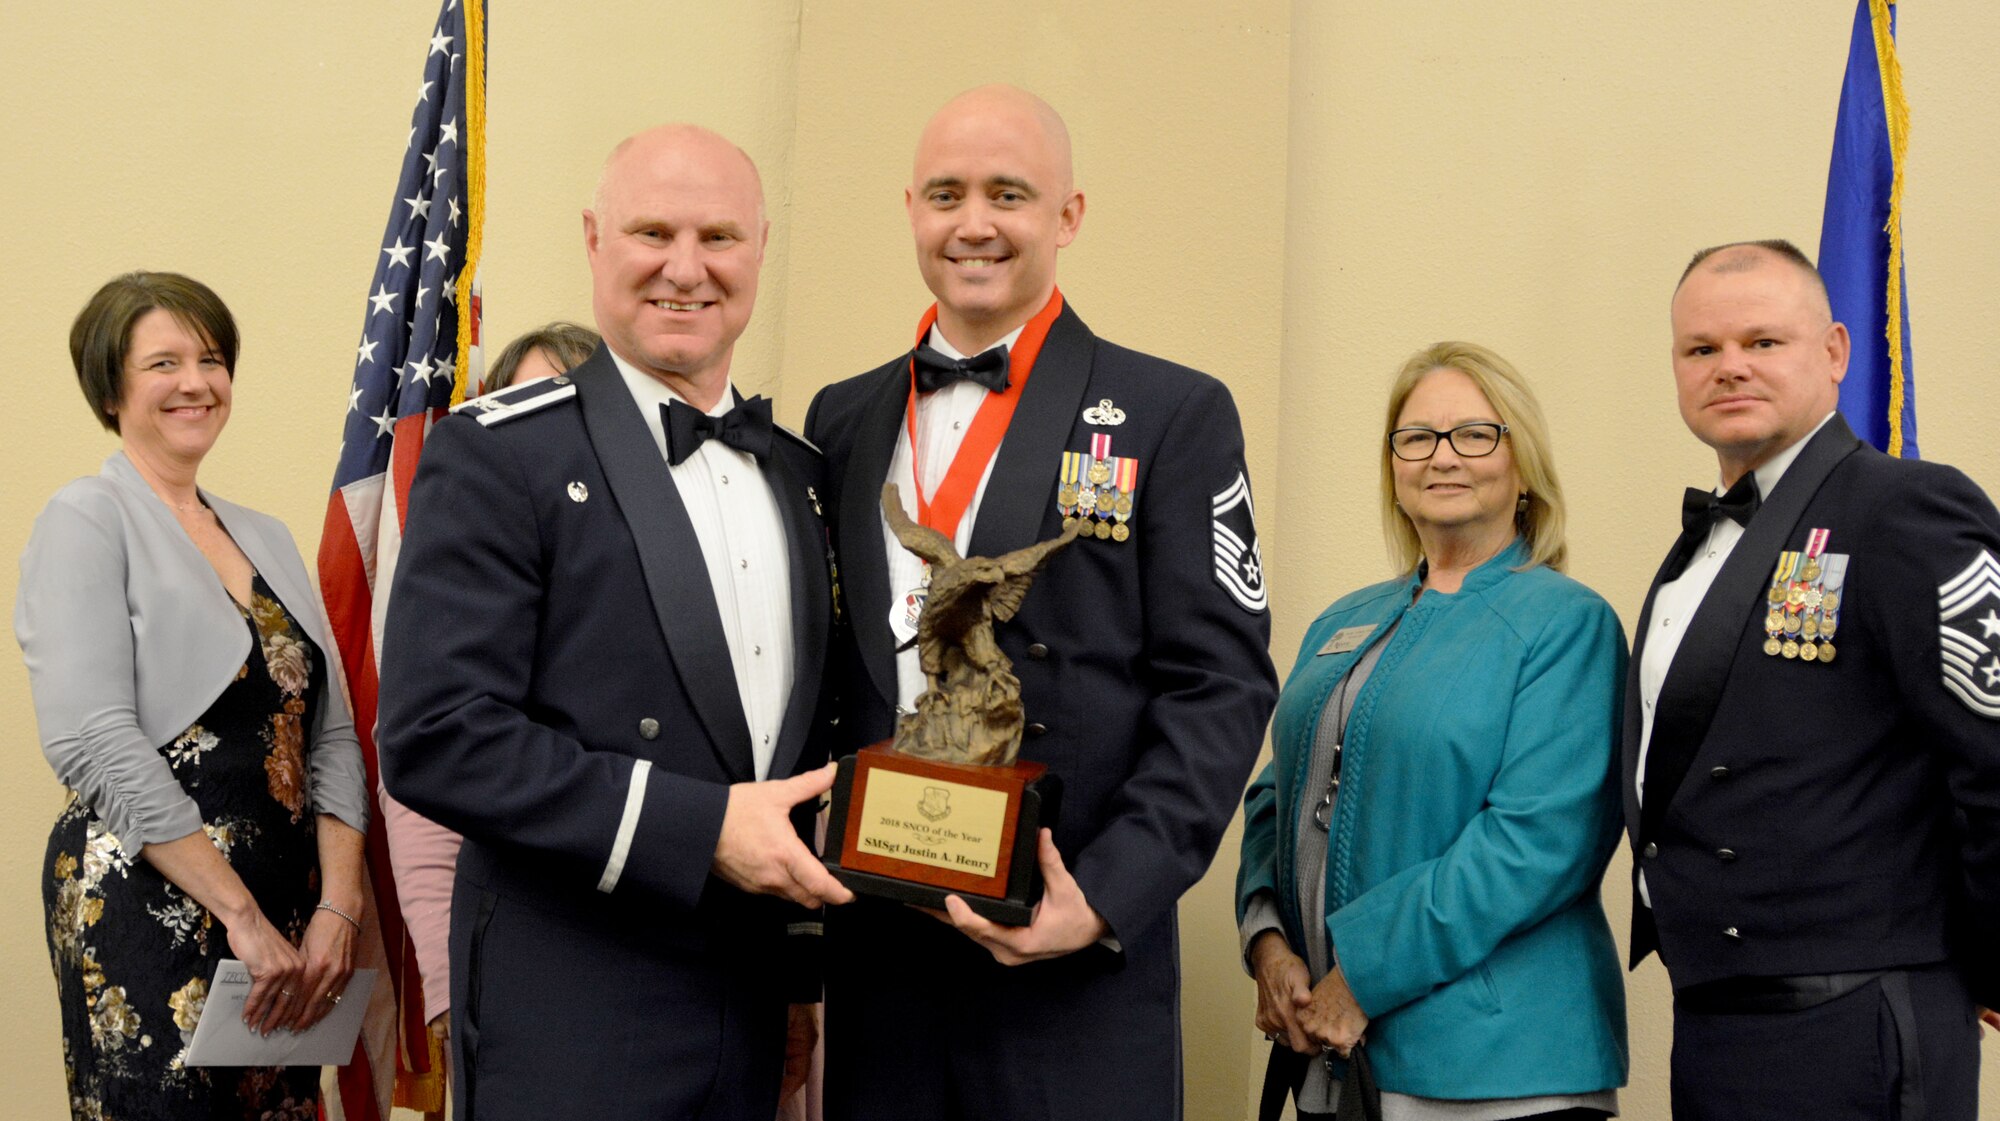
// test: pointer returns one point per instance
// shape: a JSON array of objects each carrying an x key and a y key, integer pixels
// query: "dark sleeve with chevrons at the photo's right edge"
[{"x": 1945, "y": 529}]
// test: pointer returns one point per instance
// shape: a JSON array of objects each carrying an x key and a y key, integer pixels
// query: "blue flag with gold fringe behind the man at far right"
[{"x": 1861, "y": 237}]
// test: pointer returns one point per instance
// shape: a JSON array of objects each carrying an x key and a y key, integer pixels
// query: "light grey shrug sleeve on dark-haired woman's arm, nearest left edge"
[{"x": 75, "y": 632}]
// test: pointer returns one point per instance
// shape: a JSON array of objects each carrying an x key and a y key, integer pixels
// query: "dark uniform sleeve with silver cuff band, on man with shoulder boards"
[{"x": 457, "y": 674}]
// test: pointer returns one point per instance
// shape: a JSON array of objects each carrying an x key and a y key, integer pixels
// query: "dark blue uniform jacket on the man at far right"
[{"x": 1833, "y": 816}]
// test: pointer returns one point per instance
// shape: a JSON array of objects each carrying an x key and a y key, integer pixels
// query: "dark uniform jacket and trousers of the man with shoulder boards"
[{"x": 557, "y": 688}]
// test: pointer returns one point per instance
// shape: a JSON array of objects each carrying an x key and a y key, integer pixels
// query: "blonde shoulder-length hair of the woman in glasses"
[{"x": 1543, "y": 523}]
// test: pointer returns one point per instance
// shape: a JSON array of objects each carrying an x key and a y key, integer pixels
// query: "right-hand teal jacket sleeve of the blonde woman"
[{"x": 1543, "y": 838}]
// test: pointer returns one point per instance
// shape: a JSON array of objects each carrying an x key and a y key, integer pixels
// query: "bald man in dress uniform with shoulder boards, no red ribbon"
[{"x": 603, "y": 668}]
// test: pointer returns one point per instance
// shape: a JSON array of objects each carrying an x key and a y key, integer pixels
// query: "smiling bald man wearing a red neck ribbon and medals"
[{"x": 1143, "y": 650}]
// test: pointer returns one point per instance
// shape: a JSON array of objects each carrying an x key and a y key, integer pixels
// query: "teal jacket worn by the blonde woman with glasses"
[{"x": 1477, "y": 816}]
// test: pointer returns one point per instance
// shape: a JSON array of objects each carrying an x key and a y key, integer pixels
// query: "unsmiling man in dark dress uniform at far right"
[{"x": 1813, "y": 734}]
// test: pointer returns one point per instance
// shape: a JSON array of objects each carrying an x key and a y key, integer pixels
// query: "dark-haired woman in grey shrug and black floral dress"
[{"x": 183, "y": 688}]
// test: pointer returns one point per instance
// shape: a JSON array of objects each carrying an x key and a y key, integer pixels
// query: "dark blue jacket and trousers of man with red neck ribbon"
[{"x": 1147, "y": 680}]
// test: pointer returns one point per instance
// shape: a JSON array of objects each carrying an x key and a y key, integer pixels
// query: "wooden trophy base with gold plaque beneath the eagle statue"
[{"x": 919, "y": 830}]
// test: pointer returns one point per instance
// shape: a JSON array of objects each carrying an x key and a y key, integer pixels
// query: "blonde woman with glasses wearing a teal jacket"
[{"x": 1423, "y": 856}]
